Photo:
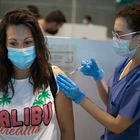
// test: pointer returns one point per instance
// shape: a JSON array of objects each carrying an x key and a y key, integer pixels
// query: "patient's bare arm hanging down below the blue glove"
[{"x": 64, "y": 113}]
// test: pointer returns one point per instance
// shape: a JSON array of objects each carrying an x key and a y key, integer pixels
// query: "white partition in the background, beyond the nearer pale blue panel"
[{"x": 79, "y": 31}]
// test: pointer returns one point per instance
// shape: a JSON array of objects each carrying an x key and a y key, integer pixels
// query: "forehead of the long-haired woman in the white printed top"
[{"x": 18, "y": 31}]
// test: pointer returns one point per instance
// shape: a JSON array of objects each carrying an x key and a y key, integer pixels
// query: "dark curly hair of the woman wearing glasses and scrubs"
[{"x": 132, "y": 15}]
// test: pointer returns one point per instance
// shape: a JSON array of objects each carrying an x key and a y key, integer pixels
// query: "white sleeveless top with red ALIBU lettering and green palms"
[{"x": 28, "y": 116}]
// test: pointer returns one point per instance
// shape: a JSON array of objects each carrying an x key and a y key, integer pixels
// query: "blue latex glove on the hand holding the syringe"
[{"x": 90, "y": 68}]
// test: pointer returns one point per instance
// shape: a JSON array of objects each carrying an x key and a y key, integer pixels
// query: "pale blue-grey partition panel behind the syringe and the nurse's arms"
[{"x": 87, "y": 128}]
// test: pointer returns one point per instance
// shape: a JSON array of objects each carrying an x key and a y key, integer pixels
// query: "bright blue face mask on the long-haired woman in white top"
[{"x": 22, "y": 58}]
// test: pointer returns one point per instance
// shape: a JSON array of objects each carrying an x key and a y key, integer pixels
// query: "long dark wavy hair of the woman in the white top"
[{"x": 40, "y": 70}]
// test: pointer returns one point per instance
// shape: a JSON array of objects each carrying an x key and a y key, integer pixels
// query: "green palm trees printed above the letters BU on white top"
[{"x": 41, "y": 99}]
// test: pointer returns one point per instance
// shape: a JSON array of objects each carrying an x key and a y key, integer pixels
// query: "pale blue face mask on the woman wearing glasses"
[{"x": 121, "y": 47}]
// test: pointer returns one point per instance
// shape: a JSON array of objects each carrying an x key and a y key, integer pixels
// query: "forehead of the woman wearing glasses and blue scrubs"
[{"x": 121, "y": 24}]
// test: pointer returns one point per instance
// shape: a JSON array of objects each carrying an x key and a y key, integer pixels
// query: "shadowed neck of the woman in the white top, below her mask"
[{"x": 21, "y": 74}]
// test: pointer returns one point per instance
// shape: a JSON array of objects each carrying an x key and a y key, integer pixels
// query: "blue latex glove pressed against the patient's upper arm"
[{"x": 69, "y": 88}]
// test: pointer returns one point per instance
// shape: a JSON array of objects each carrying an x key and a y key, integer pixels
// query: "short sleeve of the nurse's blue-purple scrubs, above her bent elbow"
[{"x": 130, "y": 105}]
